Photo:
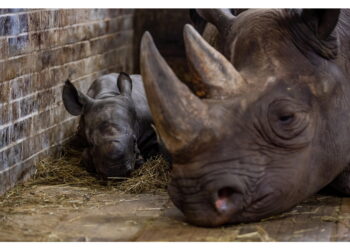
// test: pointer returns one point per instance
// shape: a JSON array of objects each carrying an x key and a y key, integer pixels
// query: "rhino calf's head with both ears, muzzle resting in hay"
[{"x": 110, "y": 124}]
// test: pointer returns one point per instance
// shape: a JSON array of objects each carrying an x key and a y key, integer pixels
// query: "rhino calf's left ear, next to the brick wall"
[{"x": 74, "y": 101}]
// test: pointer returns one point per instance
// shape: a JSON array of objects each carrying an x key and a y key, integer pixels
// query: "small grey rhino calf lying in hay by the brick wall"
[{"x": 115, "y": 123}]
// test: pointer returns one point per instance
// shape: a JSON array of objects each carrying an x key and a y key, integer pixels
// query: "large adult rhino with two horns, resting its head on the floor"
[{"x": 274, "y": 125}]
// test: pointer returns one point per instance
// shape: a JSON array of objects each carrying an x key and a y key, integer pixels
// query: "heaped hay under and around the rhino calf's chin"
[{"x": 152, "y": 177}]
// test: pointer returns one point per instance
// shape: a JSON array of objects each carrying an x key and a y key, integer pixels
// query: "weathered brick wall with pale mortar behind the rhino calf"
[{"x": 39, "y": 50}]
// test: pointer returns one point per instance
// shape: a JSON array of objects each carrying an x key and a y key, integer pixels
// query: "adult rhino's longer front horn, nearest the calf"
[{"x": 178, "y": 114}]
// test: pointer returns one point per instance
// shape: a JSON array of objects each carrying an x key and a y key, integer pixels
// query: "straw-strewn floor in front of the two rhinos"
[{"x": 39, "y": 211}]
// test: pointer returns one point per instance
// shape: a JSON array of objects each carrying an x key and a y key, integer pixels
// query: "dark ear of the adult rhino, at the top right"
[{"x": 321, "y": 21}]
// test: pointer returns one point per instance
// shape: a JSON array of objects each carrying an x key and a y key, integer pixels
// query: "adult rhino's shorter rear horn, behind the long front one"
[{"x": 217, "y": 74}]
